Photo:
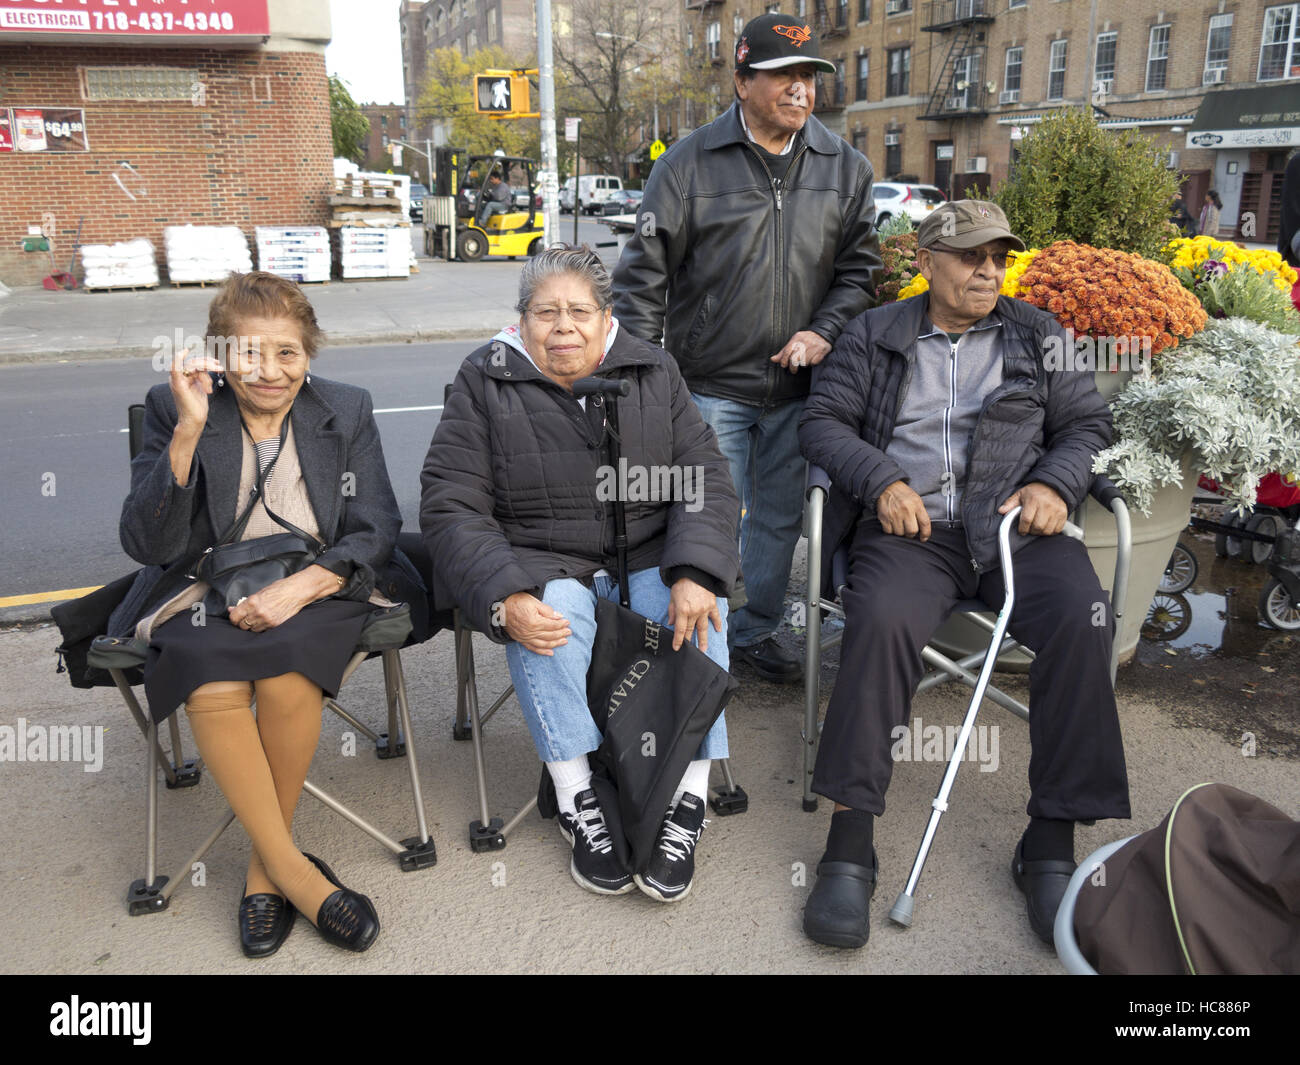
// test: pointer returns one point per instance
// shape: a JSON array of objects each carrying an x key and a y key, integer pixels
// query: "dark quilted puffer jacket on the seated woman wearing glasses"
[{"x": 512, "y": 487}]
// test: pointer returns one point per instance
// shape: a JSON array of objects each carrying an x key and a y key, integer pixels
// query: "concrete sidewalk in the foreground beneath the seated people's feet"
[{"x": 75, "y": 842}]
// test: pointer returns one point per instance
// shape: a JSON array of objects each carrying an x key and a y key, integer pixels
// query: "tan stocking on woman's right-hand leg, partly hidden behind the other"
[{"x": 289, "y": 722}]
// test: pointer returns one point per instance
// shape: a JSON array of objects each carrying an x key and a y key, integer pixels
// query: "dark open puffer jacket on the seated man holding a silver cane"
[{"x": 1038, "y": 426}]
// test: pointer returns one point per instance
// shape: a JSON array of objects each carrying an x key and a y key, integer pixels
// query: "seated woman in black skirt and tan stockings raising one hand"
[{"x": 211, "y": 435}]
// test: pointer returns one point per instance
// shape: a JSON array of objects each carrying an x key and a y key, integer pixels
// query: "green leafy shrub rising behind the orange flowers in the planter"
[{"x": 1076, "y": 181}]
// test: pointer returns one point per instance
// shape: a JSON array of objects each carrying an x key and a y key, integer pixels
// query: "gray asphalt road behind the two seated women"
[{"x": 64, "y": 453}]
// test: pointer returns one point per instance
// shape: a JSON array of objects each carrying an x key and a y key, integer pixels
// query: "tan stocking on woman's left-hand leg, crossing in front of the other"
[{"x": 227, "y": 737}]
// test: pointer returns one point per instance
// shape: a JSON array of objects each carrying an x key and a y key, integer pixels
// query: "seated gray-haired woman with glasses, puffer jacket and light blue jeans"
[{"x": 517, "y": 516}]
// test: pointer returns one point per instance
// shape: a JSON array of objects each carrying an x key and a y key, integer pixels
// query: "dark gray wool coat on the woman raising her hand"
[{"x": 167, "y": 527}]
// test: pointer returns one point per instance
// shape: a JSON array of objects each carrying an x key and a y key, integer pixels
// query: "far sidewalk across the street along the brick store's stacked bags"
[{"x": 444, "y": 301}]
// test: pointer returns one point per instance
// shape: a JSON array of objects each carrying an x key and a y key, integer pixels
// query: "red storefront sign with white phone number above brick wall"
[{"x": 154, "y": 19}]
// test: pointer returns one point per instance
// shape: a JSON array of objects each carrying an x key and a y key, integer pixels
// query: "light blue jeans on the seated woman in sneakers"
[{"x": 553, "y": 689}]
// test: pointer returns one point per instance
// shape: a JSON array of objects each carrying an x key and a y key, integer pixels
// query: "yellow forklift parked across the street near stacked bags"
[{"x": 453, "y": 231}]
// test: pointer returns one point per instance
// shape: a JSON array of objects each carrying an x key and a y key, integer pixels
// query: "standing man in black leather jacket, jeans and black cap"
[{"x": 756, "y": 244}]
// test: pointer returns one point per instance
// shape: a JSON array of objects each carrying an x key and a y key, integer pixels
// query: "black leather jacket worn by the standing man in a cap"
[{"x": 727, "y": 265}]
